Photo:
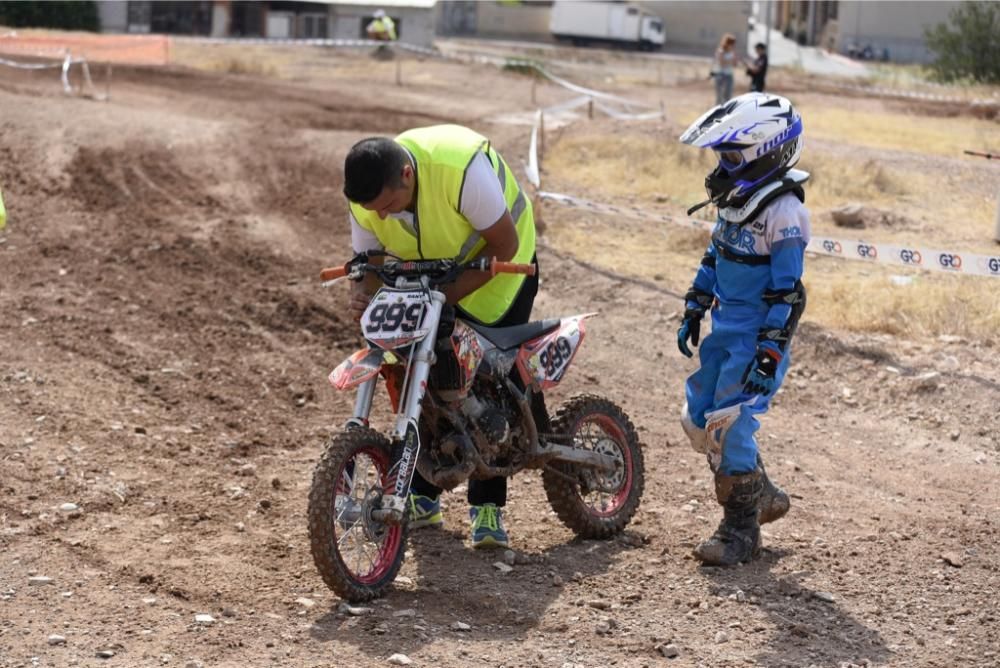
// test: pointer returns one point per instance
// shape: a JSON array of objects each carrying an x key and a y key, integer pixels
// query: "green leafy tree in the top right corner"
[{"x": 968, "y": 46}]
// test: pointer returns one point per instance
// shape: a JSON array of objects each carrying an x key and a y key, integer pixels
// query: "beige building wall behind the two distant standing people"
[{"x": 697, "y": 27}]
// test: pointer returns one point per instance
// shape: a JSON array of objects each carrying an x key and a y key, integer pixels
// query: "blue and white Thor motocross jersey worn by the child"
[{"x": 744, "y": 261}]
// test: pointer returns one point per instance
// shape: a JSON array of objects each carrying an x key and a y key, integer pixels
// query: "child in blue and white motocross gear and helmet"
[{"x": 750, "y": 279}]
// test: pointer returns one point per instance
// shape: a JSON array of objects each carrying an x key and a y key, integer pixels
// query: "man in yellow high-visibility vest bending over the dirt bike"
[{"x": 445, "y": 192}]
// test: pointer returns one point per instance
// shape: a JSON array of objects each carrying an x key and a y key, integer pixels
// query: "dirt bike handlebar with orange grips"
[{"x": 439, "y": 271}]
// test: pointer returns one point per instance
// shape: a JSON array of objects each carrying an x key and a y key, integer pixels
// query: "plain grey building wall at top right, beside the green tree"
[{"x": 897, "y": 26}]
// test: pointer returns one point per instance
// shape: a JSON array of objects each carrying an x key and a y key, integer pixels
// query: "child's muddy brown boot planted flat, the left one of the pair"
[{"x": 737, "y": 539}]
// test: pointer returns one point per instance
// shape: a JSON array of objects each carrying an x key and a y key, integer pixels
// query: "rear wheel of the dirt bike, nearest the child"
[{"x": 593, "y": 503}]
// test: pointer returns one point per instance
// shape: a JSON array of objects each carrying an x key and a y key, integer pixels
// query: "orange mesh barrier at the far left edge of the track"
[{"x": 131, "y": 49}]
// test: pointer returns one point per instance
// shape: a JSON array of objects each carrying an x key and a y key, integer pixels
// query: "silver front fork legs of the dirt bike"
[{"x": 406, "y": 433}]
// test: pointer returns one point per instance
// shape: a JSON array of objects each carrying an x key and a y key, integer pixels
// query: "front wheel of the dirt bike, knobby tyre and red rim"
[{"x": 357, "y": 556}]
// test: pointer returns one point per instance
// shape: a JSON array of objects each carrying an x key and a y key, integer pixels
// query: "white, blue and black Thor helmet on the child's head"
[{"x": 757, "y": 138}]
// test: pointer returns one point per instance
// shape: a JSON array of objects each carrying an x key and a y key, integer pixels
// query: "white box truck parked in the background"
[{"x": 605, "y": 23}]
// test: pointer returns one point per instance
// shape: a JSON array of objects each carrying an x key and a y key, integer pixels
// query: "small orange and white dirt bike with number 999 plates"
[{"x": 468, "y": 404}]
